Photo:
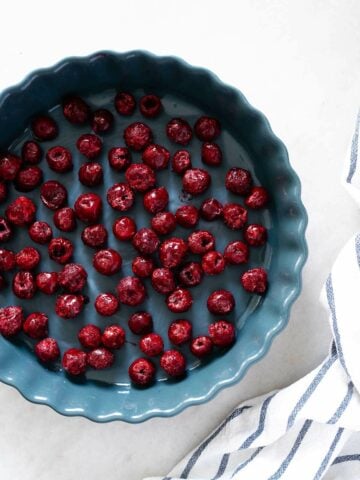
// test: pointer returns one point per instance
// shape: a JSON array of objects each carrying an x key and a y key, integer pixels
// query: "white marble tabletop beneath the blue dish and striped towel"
[{"x": 299, "y": 62}]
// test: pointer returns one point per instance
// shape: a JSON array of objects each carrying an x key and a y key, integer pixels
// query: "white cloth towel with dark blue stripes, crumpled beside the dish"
[{"x": 311, "y": 429}]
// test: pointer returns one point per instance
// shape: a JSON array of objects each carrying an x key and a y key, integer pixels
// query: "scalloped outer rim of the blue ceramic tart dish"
[{"x": 26, "y": 388}]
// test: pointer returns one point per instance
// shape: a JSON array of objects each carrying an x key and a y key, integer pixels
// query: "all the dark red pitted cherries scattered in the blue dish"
[{"x": 164, "y": 261}]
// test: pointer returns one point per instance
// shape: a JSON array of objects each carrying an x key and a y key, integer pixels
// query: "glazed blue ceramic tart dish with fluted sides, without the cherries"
[{"x": 246, "y": 141}]
